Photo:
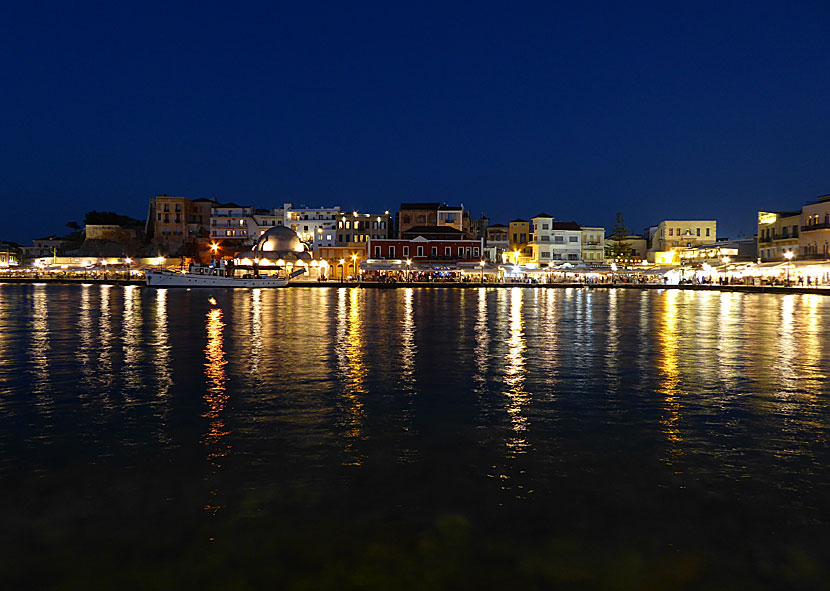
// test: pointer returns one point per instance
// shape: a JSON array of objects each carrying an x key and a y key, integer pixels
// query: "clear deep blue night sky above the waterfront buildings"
[{"x": 700, "y": 110}]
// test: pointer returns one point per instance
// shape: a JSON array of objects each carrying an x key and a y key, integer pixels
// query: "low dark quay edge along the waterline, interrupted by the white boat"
[{"x": 471, "y": 285}]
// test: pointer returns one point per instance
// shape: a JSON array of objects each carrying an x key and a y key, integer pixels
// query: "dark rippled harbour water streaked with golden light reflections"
[{"x": 413, "y": 439}]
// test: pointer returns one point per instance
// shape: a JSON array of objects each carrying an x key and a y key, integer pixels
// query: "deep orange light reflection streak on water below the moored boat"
[{"x": 216, "y": 398}]
